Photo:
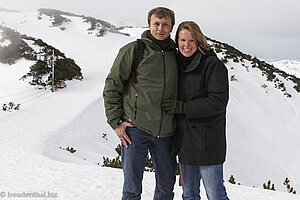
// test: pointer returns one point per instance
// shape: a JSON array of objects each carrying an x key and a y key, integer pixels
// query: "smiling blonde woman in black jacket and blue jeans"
[{"x": 201, "y": 109}]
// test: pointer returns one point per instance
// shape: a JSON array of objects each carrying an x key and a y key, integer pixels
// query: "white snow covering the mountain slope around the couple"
[{"x": 262, "y": 133}]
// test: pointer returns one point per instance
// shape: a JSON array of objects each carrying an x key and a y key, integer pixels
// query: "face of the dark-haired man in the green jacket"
[{"x": 160, "y": 28}]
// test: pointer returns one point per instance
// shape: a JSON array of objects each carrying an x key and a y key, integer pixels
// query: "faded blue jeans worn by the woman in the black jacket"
[{"x": 212, "y": 176}]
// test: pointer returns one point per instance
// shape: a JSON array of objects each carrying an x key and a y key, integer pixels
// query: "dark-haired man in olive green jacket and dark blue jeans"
[{"x": 133, "y": 106}]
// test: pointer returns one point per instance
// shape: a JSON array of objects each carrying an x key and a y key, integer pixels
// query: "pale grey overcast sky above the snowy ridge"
[{"x": 268, "y": 29}]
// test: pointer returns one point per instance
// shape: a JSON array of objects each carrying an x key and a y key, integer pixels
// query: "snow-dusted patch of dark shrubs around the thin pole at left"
[{"x": 43, "y": 54}]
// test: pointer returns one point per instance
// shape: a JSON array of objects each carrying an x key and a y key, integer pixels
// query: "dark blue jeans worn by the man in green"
[{"x": 134, "y": 160}]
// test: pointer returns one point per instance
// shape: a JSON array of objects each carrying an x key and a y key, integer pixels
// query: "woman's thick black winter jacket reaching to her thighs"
[{"x": 203, "y": 87}]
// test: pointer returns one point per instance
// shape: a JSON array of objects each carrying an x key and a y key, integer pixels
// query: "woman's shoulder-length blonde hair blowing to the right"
[{"x": 197, "y": 34}]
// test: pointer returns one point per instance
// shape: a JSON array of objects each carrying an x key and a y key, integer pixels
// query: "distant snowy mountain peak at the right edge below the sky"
[{"x": 289, "y": 66}]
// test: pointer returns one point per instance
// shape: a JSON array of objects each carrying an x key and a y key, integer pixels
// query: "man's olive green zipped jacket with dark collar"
[{"x": 140, "y": 102}]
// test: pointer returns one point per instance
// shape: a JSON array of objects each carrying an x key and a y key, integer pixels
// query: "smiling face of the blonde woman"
[{"x": 186, "y": 43}]
